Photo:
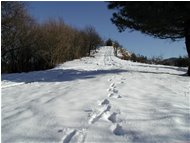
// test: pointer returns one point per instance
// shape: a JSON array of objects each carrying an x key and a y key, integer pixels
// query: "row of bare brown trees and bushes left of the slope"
[{"x": 28, "y": 46}]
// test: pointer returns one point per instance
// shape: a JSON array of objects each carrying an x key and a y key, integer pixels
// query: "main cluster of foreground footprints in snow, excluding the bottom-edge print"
[{"x": 104, "y": 110}]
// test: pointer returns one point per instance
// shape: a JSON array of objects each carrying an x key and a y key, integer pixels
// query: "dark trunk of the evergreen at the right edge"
[{"x": 187, "y": 42}]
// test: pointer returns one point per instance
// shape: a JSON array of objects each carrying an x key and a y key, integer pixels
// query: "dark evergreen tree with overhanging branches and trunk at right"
[{"x": 159, "y": 19}]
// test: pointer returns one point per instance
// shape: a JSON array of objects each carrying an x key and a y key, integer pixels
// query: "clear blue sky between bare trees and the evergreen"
[{"x": 81, "y": 14}]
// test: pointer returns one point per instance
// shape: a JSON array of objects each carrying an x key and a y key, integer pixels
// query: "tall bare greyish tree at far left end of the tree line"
[{"x": 15, "y": 36}]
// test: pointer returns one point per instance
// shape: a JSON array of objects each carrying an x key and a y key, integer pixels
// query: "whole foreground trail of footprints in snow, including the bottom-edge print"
[{"x": 103, "y": 111}]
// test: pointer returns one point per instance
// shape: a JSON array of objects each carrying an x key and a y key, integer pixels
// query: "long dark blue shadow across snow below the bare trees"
[{"x": 57, "y": 75}]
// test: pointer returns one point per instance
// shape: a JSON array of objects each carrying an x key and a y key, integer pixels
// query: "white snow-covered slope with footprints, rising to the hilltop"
[{"x": 100, "y": 99}]
